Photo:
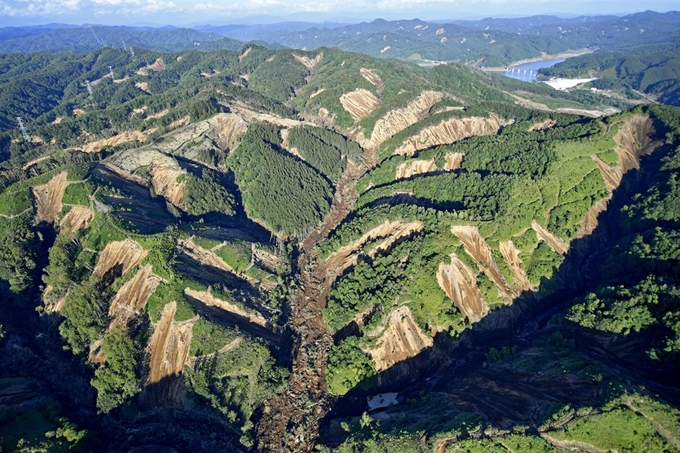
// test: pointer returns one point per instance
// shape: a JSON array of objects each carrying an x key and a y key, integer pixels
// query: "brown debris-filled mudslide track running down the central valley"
[{"x": 290, "y": 421}]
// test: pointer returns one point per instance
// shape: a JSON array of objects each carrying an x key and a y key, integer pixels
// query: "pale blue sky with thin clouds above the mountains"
[{"x": 221, "y": 12}]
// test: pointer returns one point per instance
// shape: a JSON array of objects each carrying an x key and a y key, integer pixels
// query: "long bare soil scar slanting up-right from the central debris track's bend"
[{"x": 345, "y": 257}]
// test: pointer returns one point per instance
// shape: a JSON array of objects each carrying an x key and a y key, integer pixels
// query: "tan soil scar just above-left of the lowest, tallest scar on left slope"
[{"x": 132, "y": 296}]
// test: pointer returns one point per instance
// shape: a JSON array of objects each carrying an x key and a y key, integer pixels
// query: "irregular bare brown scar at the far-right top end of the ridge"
[{"x": 633, "y": 140}]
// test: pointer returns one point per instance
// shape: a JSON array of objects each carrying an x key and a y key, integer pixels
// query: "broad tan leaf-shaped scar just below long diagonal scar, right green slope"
[{"x": 460, "y": 283}]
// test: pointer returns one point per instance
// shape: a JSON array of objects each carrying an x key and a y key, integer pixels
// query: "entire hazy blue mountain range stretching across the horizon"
[{"x": 484, "y": 43}]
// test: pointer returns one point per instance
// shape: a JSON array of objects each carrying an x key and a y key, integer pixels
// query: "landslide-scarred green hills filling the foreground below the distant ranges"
[{"x": 281, "y": 250}]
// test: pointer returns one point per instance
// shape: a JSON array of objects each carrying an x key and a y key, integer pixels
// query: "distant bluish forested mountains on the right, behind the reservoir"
[{"x": 487, "y": 42}]
